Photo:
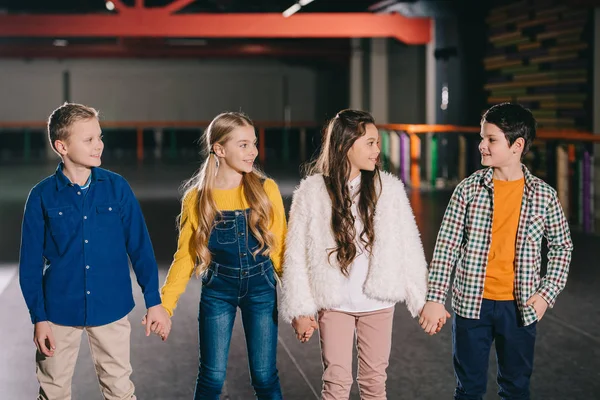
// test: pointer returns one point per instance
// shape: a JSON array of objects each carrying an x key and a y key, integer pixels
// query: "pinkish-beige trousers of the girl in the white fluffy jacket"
[{"x": 373, "y": 342}]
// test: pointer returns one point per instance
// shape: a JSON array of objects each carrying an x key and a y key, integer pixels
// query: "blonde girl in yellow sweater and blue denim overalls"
[{"x": 232, "y": 228}]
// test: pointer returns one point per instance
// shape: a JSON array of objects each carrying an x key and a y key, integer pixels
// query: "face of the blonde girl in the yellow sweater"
[{"x": 239, "y": 152}]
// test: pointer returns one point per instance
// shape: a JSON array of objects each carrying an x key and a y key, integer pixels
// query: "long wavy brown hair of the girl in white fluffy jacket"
[{"x": 333, "y": 163}]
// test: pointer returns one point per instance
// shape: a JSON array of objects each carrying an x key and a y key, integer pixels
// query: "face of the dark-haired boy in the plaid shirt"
[{"x": 495, "y": 149}]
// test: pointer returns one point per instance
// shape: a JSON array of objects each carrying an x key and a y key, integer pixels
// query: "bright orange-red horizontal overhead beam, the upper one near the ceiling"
[{"x": 160, "y": 22}]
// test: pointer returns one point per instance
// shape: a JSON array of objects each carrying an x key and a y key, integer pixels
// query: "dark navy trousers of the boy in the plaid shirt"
[{"x": 472, "y": 339}]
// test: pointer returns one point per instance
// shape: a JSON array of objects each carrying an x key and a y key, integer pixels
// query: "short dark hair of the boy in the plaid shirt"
[{"x": 514, "y": 121}]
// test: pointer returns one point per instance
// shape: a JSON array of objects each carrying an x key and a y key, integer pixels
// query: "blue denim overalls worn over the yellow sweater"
[{"x": 236, "y": 278}]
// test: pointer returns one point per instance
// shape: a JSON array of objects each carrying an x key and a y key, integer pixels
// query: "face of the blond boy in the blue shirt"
[{"x": 84, "y": 145}]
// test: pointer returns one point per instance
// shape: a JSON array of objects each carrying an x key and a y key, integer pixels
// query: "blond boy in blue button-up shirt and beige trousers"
[{"x": 81, "y": 227}]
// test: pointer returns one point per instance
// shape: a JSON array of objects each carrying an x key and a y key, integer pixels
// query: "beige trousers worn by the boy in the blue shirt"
[{"x": 109, "y": 346}]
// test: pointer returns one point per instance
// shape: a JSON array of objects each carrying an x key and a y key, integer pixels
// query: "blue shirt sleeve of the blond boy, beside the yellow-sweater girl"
[{"x": 139, "y": 247}]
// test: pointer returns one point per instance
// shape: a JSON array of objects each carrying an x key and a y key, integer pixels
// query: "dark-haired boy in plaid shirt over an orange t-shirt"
[{"x": 492, "y": 233}]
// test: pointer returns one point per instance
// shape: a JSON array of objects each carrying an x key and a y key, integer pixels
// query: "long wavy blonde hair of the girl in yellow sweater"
[{"x": 203, "y": 182}]
